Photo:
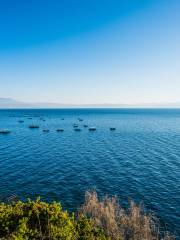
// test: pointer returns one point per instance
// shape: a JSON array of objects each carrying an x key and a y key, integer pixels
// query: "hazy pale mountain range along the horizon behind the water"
[{"x": 12, "y": 103}]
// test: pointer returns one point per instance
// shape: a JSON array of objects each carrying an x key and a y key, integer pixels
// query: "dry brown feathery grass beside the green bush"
[{"x": 117, "y": 223}]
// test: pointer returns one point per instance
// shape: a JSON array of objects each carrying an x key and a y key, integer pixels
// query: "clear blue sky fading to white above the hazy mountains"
[{"x": 90, "y": 51}]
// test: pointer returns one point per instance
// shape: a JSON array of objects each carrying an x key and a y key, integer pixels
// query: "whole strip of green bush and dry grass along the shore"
[{"x": 97, "y": 219}]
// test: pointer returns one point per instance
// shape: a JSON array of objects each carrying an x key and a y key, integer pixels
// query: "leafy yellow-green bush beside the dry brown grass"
[{"x": 40, "y": 220}]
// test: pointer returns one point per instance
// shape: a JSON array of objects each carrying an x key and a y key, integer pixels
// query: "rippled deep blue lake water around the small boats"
[{"x": 140, "y": 160}]
